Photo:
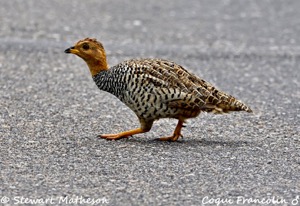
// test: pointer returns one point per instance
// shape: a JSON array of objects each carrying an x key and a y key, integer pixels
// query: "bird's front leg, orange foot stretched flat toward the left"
[{"x": 145, "y": 127}]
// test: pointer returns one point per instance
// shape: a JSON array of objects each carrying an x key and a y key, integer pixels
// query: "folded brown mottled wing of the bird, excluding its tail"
[{"x": 172, "y": 82}]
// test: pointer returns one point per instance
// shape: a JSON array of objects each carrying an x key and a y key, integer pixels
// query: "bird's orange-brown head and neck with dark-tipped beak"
[{"x": 92, "y": 52}]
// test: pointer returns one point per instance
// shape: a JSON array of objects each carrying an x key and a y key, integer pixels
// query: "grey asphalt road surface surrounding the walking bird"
[{"x": 51, "y": 111}]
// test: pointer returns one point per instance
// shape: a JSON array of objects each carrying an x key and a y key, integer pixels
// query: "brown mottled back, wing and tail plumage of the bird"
[{"x": 199, "y": 94}]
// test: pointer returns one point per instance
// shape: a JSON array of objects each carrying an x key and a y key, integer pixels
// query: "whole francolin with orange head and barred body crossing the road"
[{"x": 154, "y": 88}]
